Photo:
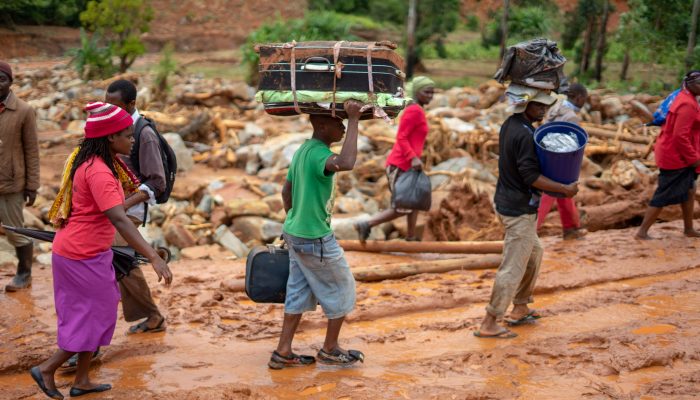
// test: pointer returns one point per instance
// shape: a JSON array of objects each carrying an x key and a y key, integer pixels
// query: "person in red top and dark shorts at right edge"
[{"x": 677, "y": 155}]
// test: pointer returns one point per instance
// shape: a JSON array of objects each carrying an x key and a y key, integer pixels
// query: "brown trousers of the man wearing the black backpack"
[{"x": 137, "y": 302}]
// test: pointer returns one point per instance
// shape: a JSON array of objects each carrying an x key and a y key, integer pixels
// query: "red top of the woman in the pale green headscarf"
[{"x": 413, "y": 129}]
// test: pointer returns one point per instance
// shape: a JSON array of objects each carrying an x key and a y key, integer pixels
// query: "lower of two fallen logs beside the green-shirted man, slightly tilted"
[{"x": 402, "y": 270}]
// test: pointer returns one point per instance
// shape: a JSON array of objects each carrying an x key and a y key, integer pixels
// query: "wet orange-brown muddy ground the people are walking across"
[{"x": 620, "y": 321}]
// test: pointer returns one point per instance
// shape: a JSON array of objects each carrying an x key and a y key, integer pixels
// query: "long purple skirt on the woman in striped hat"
[{"x": 86, "y": 296}]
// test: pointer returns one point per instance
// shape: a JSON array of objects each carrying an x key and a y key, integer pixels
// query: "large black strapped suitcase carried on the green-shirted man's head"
[{"x": 316, "y": 67}]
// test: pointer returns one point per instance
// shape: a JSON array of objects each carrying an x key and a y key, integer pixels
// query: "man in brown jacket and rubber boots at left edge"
[{"x": 19, "y": 172}]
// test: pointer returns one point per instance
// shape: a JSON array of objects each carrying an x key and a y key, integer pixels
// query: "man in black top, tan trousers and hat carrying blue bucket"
[{"x": 517, "y": 199}]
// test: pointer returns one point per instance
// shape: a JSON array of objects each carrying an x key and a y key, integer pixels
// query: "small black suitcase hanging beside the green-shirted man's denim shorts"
[{"x": 266, "y": 274}]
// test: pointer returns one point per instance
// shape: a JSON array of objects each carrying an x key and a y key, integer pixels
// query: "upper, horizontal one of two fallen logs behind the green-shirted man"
[{"x": 380, "y": 246}]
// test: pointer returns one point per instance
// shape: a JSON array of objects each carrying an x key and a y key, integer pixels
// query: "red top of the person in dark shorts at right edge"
[{"x": 678, "y": 145}]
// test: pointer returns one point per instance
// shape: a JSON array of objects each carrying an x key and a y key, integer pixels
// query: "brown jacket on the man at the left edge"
[{"x": 19, "y": 149}]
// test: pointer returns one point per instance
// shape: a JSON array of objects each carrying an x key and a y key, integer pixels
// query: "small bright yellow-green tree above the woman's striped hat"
[{"x": 121, "y": 23}]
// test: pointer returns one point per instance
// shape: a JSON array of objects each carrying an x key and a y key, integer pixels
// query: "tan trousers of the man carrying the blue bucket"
[{"x": 522, "y": 256}]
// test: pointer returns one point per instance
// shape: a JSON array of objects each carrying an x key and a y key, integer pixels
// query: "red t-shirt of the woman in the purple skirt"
[{"x": 88, "y": 231}]
